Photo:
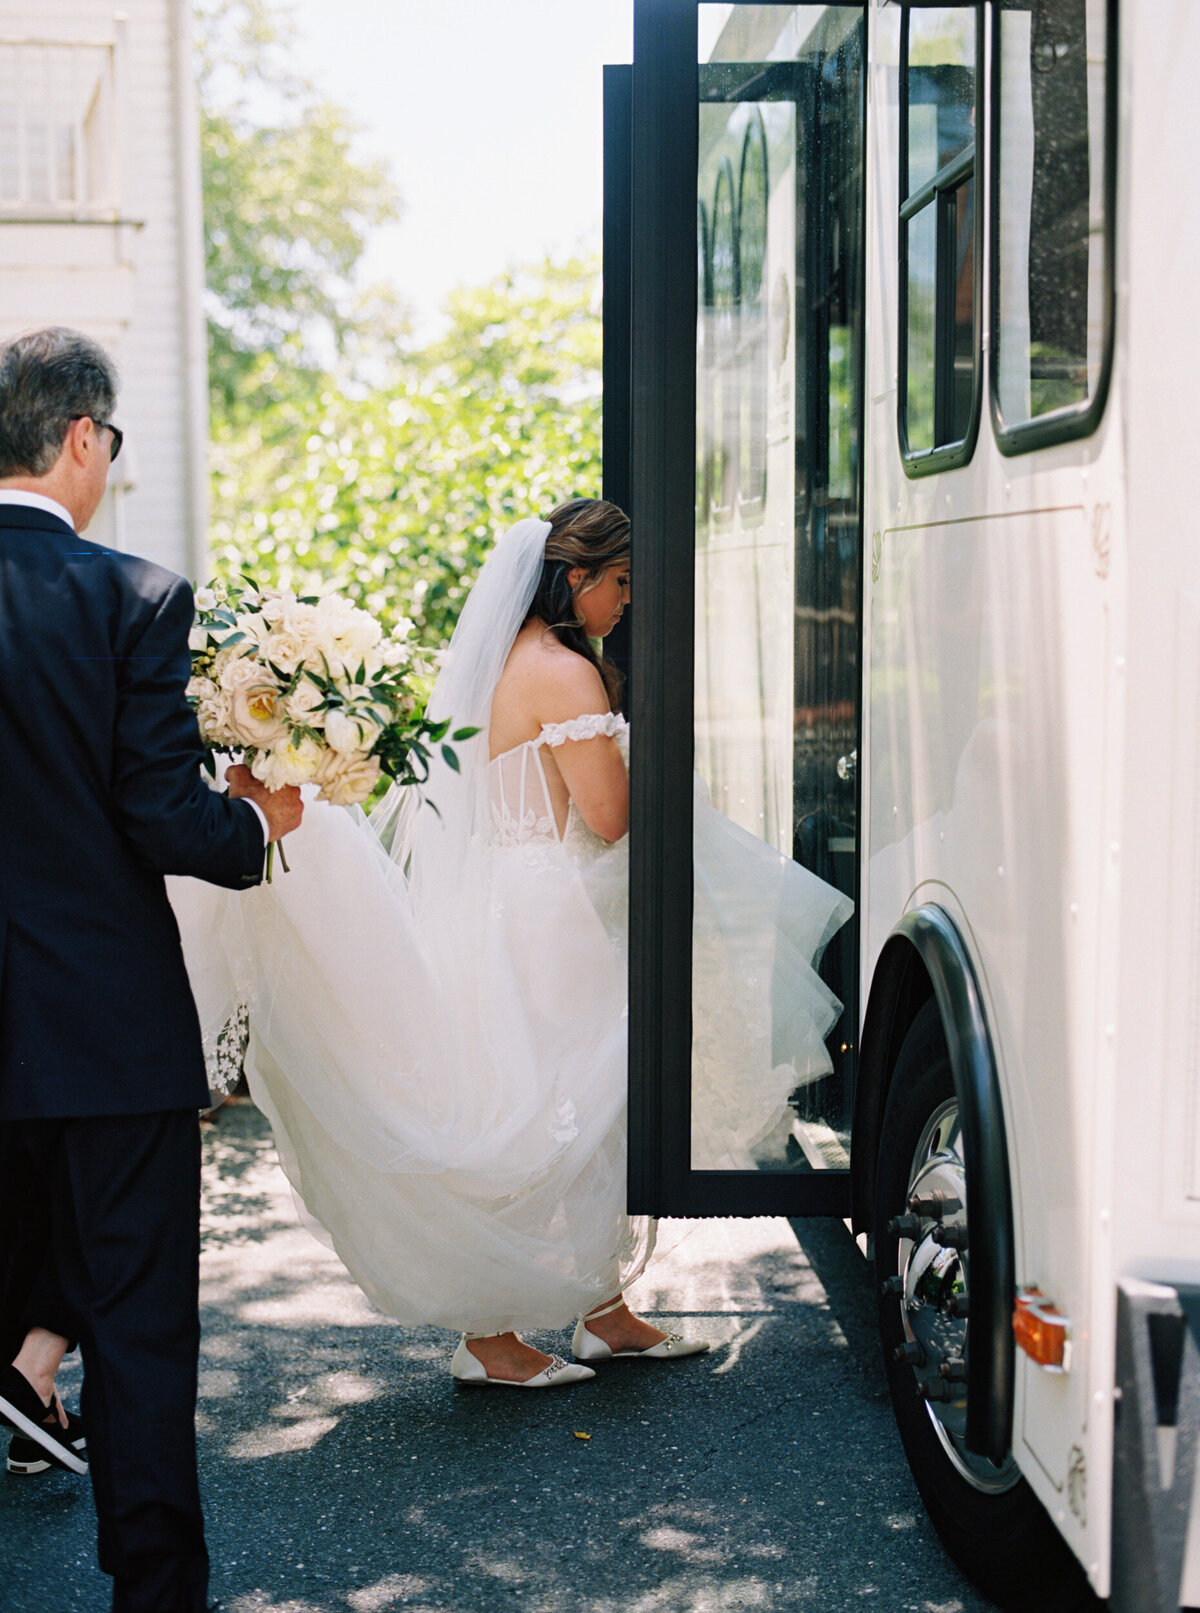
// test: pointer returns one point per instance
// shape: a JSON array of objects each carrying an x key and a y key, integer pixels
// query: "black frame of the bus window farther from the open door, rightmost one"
[{"x": 1077, "y": 420}]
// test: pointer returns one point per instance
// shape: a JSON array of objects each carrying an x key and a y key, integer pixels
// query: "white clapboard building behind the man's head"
[{"x": 101, "y": 228}]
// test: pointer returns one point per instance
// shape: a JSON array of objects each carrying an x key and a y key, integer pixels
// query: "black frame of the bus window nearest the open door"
[{"x": 938, "y": 193}]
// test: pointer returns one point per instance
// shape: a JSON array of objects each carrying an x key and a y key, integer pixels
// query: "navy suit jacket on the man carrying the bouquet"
[{"x": 101, "y": 796}]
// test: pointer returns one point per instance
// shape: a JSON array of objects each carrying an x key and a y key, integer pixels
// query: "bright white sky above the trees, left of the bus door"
[{"x": 490, "y": 117}]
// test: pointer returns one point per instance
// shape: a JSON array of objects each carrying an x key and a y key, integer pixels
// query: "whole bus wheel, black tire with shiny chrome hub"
[{"x": 988, "y": 1517}]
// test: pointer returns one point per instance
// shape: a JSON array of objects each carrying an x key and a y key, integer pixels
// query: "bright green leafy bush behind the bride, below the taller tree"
[{"x": 399, "y": 491}]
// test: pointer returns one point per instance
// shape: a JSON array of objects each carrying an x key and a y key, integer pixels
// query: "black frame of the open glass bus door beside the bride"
[{"x": 652, "y": 146}]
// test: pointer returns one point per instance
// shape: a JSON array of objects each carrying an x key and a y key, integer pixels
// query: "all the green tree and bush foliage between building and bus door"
[{"x": 340, "y": 451}]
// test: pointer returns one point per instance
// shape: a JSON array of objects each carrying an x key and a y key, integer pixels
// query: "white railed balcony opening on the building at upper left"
[{"x": 57, "y": 130}]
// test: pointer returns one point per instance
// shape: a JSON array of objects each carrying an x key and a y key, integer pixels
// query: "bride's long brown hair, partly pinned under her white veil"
[{"x": 585, "y": 533}]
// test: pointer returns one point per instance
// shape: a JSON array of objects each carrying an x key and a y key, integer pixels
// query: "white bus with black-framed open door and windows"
[{"x": 902, "y": 364}]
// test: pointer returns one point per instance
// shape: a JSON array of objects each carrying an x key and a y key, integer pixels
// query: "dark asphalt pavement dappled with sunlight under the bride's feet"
[{"x": 344, "y": 1473}]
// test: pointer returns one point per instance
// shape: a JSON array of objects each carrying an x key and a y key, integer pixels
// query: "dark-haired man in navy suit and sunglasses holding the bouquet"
[{"x": 101, "y": 1064}]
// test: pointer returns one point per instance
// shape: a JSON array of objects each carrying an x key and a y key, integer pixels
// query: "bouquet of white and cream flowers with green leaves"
[{"x": 310, "y": 691}]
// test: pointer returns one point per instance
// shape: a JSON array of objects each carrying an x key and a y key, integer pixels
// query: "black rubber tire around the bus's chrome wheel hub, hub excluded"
[{"x": 1002, "y": 1541}]
